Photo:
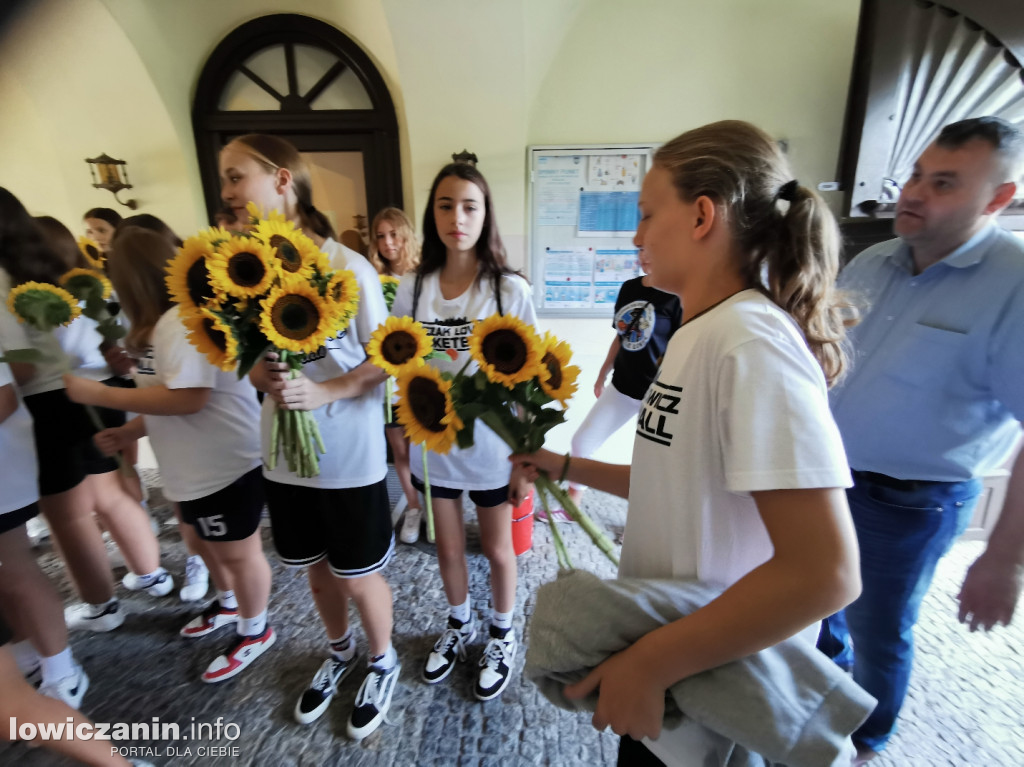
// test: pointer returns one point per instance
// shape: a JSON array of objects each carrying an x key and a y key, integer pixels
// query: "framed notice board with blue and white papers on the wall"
[{"x": 583, "y": 219}]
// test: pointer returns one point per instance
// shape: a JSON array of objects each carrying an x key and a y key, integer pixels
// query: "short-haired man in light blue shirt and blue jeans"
[{"x": 933, "y": 402}]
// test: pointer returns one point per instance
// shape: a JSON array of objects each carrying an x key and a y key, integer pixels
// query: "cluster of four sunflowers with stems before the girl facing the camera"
[{"x": 520, "y": 375}]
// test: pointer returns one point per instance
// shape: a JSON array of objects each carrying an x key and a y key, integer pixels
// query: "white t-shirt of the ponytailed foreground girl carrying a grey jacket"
[{"x": 740, "y": 405}]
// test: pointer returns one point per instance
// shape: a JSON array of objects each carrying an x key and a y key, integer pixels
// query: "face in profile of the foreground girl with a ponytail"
[{"x": 663, "y": 232}]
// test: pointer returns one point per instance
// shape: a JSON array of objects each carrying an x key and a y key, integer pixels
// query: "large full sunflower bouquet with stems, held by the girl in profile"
[{"x": 242, "y": 295}]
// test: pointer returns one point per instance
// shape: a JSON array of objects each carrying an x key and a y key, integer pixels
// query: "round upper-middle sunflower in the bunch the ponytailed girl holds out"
[{"x": 506, "y": 349}]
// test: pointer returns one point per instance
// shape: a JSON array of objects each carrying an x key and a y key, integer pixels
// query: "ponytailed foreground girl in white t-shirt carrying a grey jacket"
[{"x": 738, "y": 471}]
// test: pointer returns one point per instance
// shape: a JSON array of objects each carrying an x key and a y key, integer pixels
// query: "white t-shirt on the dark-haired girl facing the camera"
[{"x": 486, "y": 465}]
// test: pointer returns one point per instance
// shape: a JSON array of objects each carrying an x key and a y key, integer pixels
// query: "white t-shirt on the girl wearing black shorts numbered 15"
[{"x": 205, "y": 452}]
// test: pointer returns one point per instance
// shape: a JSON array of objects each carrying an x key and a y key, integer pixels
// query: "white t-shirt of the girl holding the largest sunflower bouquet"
[{"x": 353, "y": 430}]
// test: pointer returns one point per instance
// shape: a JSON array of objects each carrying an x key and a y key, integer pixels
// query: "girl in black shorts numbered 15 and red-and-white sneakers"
[{"x": 203, "y": 425}]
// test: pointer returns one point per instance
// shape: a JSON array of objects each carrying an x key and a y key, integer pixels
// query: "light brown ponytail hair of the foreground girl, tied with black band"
[{"x": 786, "y": 238}]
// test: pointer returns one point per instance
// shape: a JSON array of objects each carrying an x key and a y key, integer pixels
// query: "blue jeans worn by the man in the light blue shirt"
[{"x": 903, "y": 535}]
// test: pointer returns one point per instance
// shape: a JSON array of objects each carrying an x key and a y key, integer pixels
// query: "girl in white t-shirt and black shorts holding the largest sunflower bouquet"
[{"x": 338, "y": 524}]
